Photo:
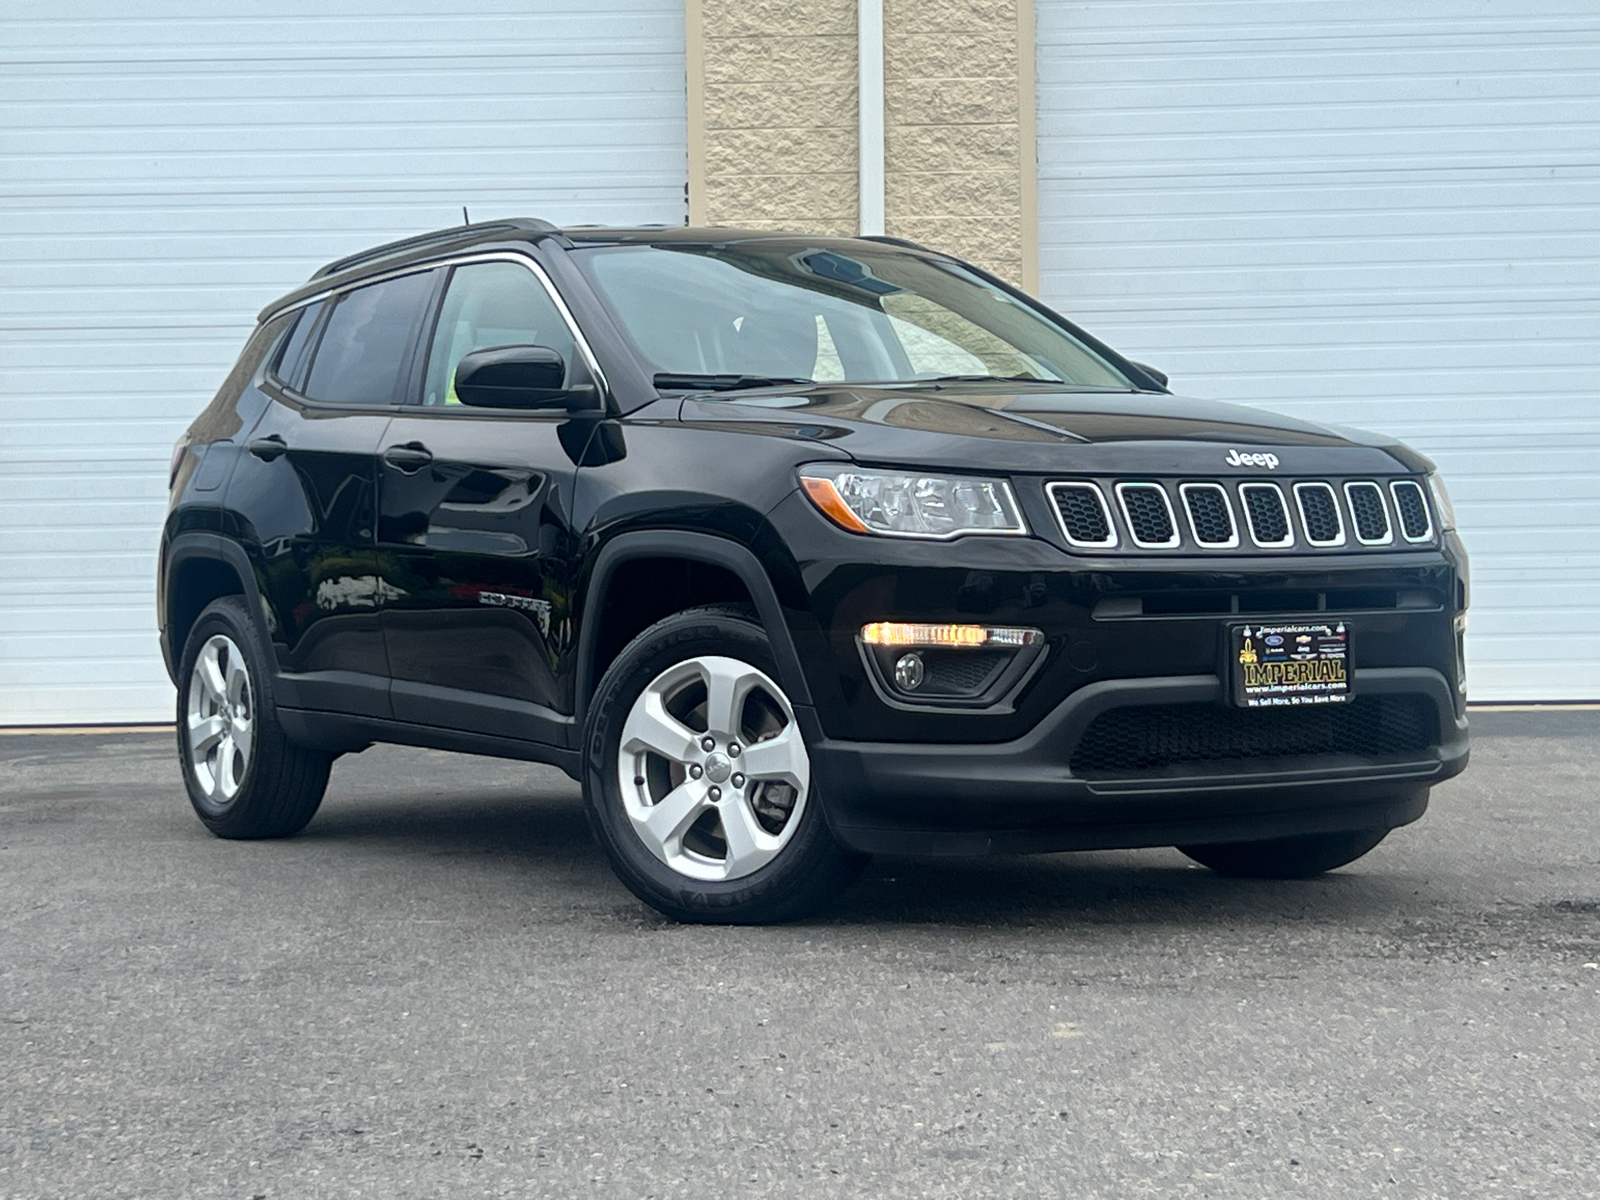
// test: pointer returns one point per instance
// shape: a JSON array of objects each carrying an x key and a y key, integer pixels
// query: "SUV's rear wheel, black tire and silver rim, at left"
[{"x": 281, "y": 785}]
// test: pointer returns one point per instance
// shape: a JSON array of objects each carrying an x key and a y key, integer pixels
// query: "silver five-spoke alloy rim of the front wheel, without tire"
[{"x": 713, "y": 770}]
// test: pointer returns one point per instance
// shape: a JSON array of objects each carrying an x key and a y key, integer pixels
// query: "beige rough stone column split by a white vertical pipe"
[{"x": 774, "y": 122}]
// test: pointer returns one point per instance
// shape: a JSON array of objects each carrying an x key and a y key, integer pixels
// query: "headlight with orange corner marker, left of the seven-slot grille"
[{"x": 913, "y": 506}]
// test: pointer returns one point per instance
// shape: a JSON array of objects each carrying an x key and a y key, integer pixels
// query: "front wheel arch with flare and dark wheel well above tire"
[{"x": 698, "y": 569}]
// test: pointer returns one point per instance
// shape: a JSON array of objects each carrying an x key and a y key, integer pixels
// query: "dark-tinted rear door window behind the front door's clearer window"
[{"x": 367, "y": 343}]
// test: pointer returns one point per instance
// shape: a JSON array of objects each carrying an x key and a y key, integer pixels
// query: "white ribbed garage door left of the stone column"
[{"x": 167, "y": 167}]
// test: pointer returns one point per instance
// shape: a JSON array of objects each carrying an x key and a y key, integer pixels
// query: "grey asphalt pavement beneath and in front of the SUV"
[{"x": 441, "y": 991}]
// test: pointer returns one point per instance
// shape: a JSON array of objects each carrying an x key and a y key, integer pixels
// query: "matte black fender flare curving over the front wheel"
[{"x": 703, "y": 548}]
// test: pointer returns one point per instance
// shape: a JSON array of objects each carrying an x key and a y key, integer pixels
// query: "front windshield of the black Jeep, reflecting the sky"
[{"x": 750, "y": 313}]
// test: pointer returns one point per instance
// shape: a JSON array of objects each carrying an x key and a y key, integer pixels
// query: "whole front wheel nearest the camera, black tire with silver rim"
[{"x": 698, "y": 778}]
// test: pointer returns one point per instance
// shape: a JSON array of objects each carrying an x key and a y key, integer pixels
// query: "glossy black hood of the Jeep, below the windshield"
[{"x": 1044, "y": 431}]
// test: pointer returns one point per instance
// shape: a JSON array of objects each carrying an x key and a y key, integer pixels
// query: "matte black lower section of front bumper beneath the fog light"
[{"x": 1022, "y": 796}]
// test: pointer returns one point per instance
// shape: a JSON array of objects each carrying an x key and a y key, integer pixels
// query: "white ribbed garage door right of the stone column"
[{"x": 1370, "y": 214}]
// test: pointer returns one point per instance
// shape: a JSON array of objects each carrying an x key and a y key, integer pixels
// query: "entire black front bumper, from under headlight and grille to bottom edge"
[{"x": 1119, "y": 634}]
